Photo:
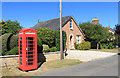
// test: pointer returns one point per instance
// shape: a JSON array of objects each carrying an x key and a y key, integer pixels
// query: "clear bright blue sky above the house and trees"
[{"x": 28, "y": 13}]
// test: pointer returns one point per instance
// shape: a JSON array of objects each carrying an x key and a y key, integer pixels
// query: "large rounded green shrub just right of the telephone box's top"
[{"x": 46, "y": 35}]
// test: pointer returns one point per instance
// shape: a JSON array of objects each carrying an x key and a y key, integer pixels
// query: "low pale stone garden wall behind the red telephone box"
[{"x": 14, "y": 60}]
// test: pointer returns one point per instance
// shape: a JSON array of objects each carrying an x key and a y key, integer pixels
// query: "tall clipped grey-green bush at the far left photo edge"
[{"x": 5, "y": 42}]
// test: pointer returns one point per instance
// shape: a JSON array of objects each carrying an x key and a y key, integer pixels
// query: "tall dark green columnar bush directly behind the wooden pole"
[{"x": 57, "y": 39}]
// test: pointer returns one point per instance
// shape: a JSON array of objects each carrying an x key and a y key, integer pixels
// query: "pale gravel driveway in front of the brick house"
[{"x": 87, "y": 55}]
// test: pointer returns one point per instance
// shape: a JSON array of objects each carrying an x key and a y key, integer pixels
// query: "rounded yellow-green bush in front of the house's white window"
[{"x": 85, "y": 45}]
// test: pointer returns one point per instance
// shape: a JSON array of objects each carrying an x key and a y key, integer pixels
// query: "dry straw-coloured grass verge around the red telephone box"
[{"x": 47, "y": 66}]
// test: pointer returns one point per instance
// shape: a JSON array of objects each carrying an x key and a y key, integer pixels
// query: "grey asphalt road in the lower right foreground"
[{"x": 102, "y": 67}]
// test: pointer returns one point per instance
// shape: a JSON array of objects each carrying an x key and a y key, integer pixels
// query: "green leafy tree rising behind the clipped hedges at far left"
[{"x": 13, "y": 26}]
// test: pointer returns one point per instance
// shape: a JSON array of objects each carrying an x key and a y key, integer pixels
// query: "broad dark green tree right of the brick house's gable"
[{"x": 95, "y": 33}]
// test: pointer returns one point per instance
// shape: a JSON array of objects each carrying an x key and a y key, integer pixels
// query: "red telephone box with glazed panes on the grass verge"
[{"x": 27, "y": 49}]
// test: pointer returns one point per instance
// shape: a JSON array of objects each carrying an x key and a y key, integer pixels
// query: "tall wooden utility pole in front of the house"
[{"x": 61, "y": 39}]
